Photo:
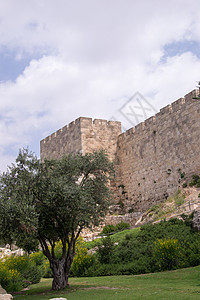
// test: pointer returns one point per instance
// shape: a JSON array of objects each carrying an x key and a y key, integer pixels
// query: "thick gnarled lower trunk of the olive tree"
[{"x": 60, "y": 270}]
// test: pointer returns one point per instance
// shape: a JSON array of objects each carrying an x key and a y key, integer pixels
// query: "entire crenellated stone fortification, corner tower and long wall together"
[{"x": 150, "y": 158}]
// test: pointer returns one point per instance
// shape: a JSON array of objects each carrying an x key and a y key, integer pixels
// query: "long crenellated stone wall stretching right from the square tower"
[{"x": 152, "y": 156}]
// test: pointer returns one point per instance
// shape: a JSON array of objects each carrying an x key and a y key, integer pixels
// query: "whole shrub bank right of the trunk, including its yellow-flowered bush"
[{"x": 137, "y": 253}]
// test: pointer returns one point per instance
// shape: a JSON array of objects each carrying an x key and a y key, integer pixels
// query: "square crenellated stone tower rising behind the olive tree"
[{"x": 83, "y": 135}]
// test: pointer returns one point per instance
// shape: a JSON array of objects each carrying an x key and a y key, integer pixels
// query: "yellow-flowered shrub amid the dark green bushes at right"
[{"x": 167, "y": 253}]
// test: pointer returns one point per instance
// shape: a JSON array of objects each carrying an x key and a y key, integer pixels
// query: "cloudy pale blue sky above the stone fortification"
[{"x": 62, "y": 59}]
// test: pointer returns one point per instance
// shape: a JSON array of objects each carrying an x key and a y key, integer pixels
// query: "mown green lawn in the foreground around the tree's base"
[{"x": 179, "y": 284}]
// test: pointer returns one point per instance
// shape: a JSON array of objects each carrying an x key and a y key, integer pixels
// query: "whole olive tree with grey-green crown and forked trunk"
[{"x": 53, "y": 201}]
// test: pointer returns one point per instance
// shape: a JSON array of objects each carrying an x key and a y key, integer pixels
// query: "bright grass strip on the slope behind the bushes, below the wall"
[{"x": 117, "y": 237}]
